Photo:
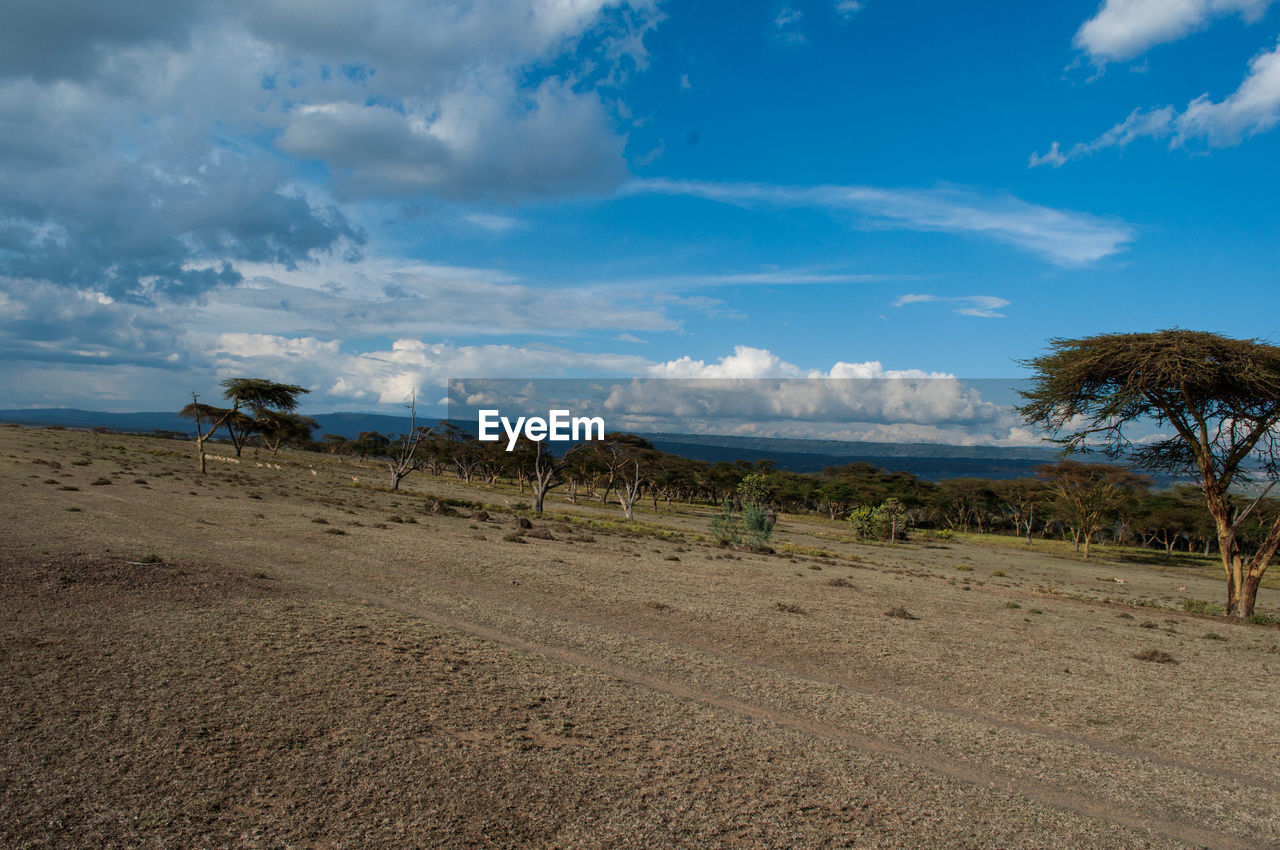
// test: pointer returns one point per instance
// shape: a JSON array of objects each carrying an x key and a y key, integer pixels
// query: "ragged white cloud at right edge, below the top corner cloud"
[{"x": 1254, "y": 108}]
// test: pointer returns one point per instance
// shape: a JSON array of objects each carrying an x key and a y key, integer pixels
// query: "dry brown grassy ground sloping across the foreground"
[{"x": 296, "y": 657}]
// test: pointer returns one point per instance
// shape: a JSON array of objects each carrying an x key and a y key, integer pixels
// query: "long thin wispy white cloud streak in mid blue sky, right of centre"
[{"x": 1063, "y": 237}]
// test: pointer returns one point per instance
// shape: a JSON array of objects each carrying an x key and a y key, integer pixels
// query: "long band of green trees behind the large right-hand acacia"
[{"x": 1084, "y": 504}]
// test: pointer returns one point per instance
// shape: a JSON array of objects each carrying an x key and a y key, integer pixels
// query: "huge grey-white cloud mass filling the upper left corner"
[{"x": 140, "y": 141}]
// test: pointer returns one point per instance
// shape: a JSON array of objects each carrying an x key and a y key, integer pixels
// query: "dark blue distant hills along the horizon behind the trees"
[{"x": 930, "y": 461}]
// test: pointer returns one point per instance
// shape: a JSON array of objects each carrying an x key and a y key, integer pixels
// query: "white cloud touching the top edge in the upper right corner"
[{"x": 1124, "y": 29}]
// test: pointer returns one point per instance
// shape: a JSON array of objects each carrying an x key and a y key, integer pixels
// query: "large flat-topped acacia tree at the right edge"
[{"x": 1220, "y": 397}]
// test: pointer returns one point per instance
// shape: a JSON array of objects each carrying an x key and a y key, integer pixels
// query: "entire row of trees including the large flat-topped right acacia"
[{"x": 1213, "y": 401}]
